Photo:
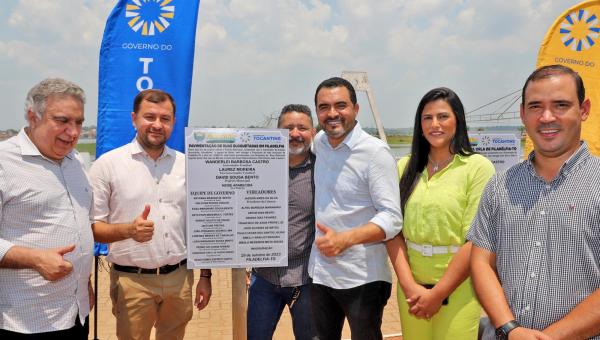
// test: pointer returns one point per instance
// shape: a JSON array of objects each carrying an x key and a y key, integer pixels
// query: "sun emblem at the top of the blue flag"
[{"x": 149, "y": 16}]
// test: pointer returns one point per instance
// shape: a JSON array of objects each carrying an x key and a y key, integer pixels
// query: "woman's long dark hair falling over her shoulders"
[{"x": 419, "y": 150}]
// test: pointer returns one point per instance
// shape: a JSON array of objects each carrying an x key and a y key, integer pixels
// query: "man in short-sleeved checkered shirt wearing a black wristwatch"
[{"x": 535, "y": 261}]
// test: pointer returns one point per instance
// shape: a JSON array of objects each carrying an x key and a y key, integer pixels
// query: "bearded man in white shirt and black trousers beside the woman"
[{"x": 357, "y": 207}]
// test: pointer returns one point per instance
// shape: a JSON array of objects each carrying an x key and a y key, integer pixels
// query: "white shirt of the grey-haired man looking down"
[{"x": 43, "y": 204}]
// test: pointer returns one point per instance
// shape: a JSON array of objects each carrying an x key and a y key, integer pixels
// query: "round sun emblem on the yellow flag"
[{"x": 579, "y": 30}]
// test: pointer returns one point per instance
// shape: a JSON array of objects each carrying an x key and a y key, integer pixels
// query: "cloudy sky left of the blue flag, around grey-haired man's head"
[{"x": 50, "y": 38}]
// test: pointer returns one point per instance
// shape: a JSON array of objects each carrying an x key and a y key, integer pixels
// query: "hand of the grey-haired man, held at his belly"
[{"x": 50, "y": 263}]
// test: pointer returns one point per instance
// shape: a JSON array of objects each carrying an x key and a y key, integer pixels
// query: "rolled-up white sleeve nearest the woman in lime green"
[{"x": 385, "y": 193}]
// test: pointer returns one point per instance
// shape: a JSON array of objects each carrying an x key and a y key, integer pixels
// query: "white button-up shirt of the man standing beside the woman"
[{"x": 355, "y": 183}]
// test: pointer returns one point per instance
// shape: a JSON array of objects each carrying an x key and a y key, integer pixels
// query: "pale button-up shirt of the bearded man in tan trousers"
[{"x": 124, "y": 180}]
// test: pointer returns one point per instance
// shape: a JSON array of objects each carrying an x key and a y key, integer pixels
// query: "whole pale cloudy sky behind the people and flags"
[{"x": 252, "y": 57}]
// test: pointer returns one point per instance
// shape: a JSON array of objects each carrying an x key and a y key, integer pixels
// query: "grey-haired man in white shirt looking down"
[{"x": 46, "y": 243}]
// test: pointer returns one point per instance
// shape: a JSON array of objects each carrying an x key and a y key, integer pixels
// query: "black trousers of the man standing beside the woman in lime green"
[{"x": 362, "y": 305}]
